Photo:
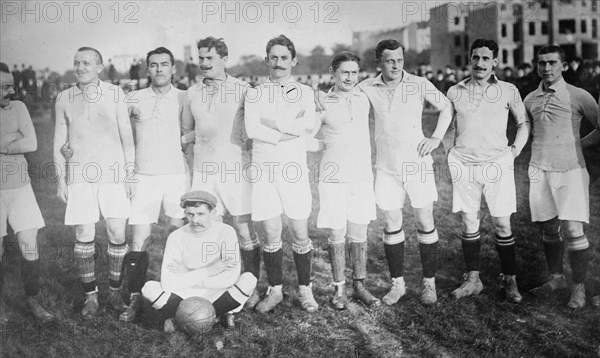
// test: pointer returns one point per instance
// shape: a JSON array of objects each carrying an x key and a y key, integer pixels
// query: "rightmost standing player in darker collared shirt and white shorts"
[{"x": 559, "y": 190}]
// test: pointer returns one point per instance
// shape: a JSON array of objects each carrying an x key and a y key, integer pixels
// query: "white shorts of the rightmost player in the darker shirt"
[{"x": 562, "y": 194}]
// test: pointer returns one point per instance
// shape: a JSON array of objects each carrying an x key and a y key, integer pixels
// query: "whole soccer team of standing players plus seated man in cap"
[{"x": 123, "y": 157}]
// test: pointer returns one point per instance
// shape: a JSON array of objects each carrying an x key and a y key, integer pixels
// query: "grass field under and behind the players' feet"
[{"x": 482, "y": 326}]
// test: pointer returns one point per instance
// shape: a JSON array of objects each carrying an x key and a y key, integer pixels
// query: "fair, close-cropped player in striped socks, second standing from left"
[{"x": 93, "y": 127}]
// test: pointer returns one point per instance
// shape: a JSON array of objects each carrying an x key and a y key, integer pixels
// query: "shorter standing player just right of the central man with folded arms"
[{"x": 346, "y": 197}]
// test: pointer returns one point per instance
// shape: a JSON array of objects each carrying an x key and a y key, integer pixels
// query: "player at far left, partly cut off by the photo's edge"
[{"x": 18, "y": 206}]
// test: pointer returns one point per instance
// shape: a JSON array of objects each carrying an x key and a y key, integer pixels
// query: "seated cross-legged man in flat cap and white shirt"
[{"x": 200, "y": 259}]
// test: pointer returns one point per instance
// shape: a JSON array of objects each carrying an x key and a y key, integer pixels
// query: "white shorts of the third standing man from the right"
[{"x": 390, "y": 190}]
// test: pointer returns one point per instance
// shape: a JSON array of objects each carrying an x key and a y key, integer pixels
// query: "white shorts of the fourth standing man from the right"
[{"x": 342, "y": 202}]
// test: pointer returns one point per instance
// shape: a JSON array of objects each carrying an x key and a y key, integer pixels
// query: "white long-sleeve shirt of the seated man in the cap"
[{"x": 212, "y": 260}]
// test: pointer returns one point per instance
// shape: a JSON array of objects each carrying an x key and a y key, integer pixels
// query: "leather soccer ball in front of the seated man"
[{"x": 195, "y": 316}]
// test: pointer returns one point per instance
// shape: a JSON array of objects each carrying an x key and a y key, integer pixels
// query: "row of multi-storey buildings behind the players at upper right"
[{"x": 520, "y": 27}]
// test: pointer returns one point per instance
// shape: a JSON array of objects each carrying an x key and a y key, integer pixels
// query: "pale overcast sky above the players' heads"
[{"x": 47, "y": 33}]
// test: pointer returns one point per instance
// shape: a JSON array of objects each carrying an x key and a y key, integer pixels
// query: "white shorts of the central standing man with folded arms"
[{"x": 275, "y": 195}]
